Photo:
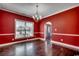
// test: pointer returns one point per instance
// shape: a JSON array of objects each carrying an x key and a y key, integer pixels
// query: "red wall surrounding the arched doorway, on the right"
[{"x": 66, "y": 22}]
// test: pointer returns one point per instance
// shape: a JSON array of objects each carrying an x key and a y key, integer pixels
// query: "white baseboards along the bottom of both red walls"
[{"x": 53, "y": 42}]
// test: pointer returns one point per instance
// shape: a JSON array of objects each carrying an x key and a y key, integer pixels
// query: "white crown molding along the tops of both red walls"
[{"x": 1, "y": 7}]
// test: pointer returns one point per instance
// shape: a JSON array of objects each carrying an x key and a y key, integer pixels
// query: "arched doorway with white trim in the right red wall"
[{"x": 48, "y": 32}]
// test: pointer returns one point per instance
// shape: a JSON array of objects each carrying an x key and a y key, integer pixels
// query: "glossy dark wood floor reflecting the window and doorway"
[{"x": 36, "y": 48}]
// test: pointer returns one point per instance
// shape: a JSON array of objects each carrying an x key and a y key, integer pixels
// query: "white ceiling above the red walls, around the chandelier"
[{"x": 29, "y": 9}]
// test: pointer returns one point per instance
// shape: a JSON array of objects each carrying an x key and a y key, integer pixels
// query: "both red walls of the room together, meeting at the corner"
[{"x": 66, "y": 22}]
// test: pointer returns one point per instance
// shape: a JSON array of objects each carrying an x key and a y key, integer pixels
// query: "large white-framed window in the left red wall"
[{"x": 23, "y": 29}]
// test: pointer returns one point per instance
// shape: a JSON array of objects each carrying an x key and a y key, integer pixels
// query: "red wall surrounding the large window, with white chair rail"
[{"x": 7, "y": 26}]
